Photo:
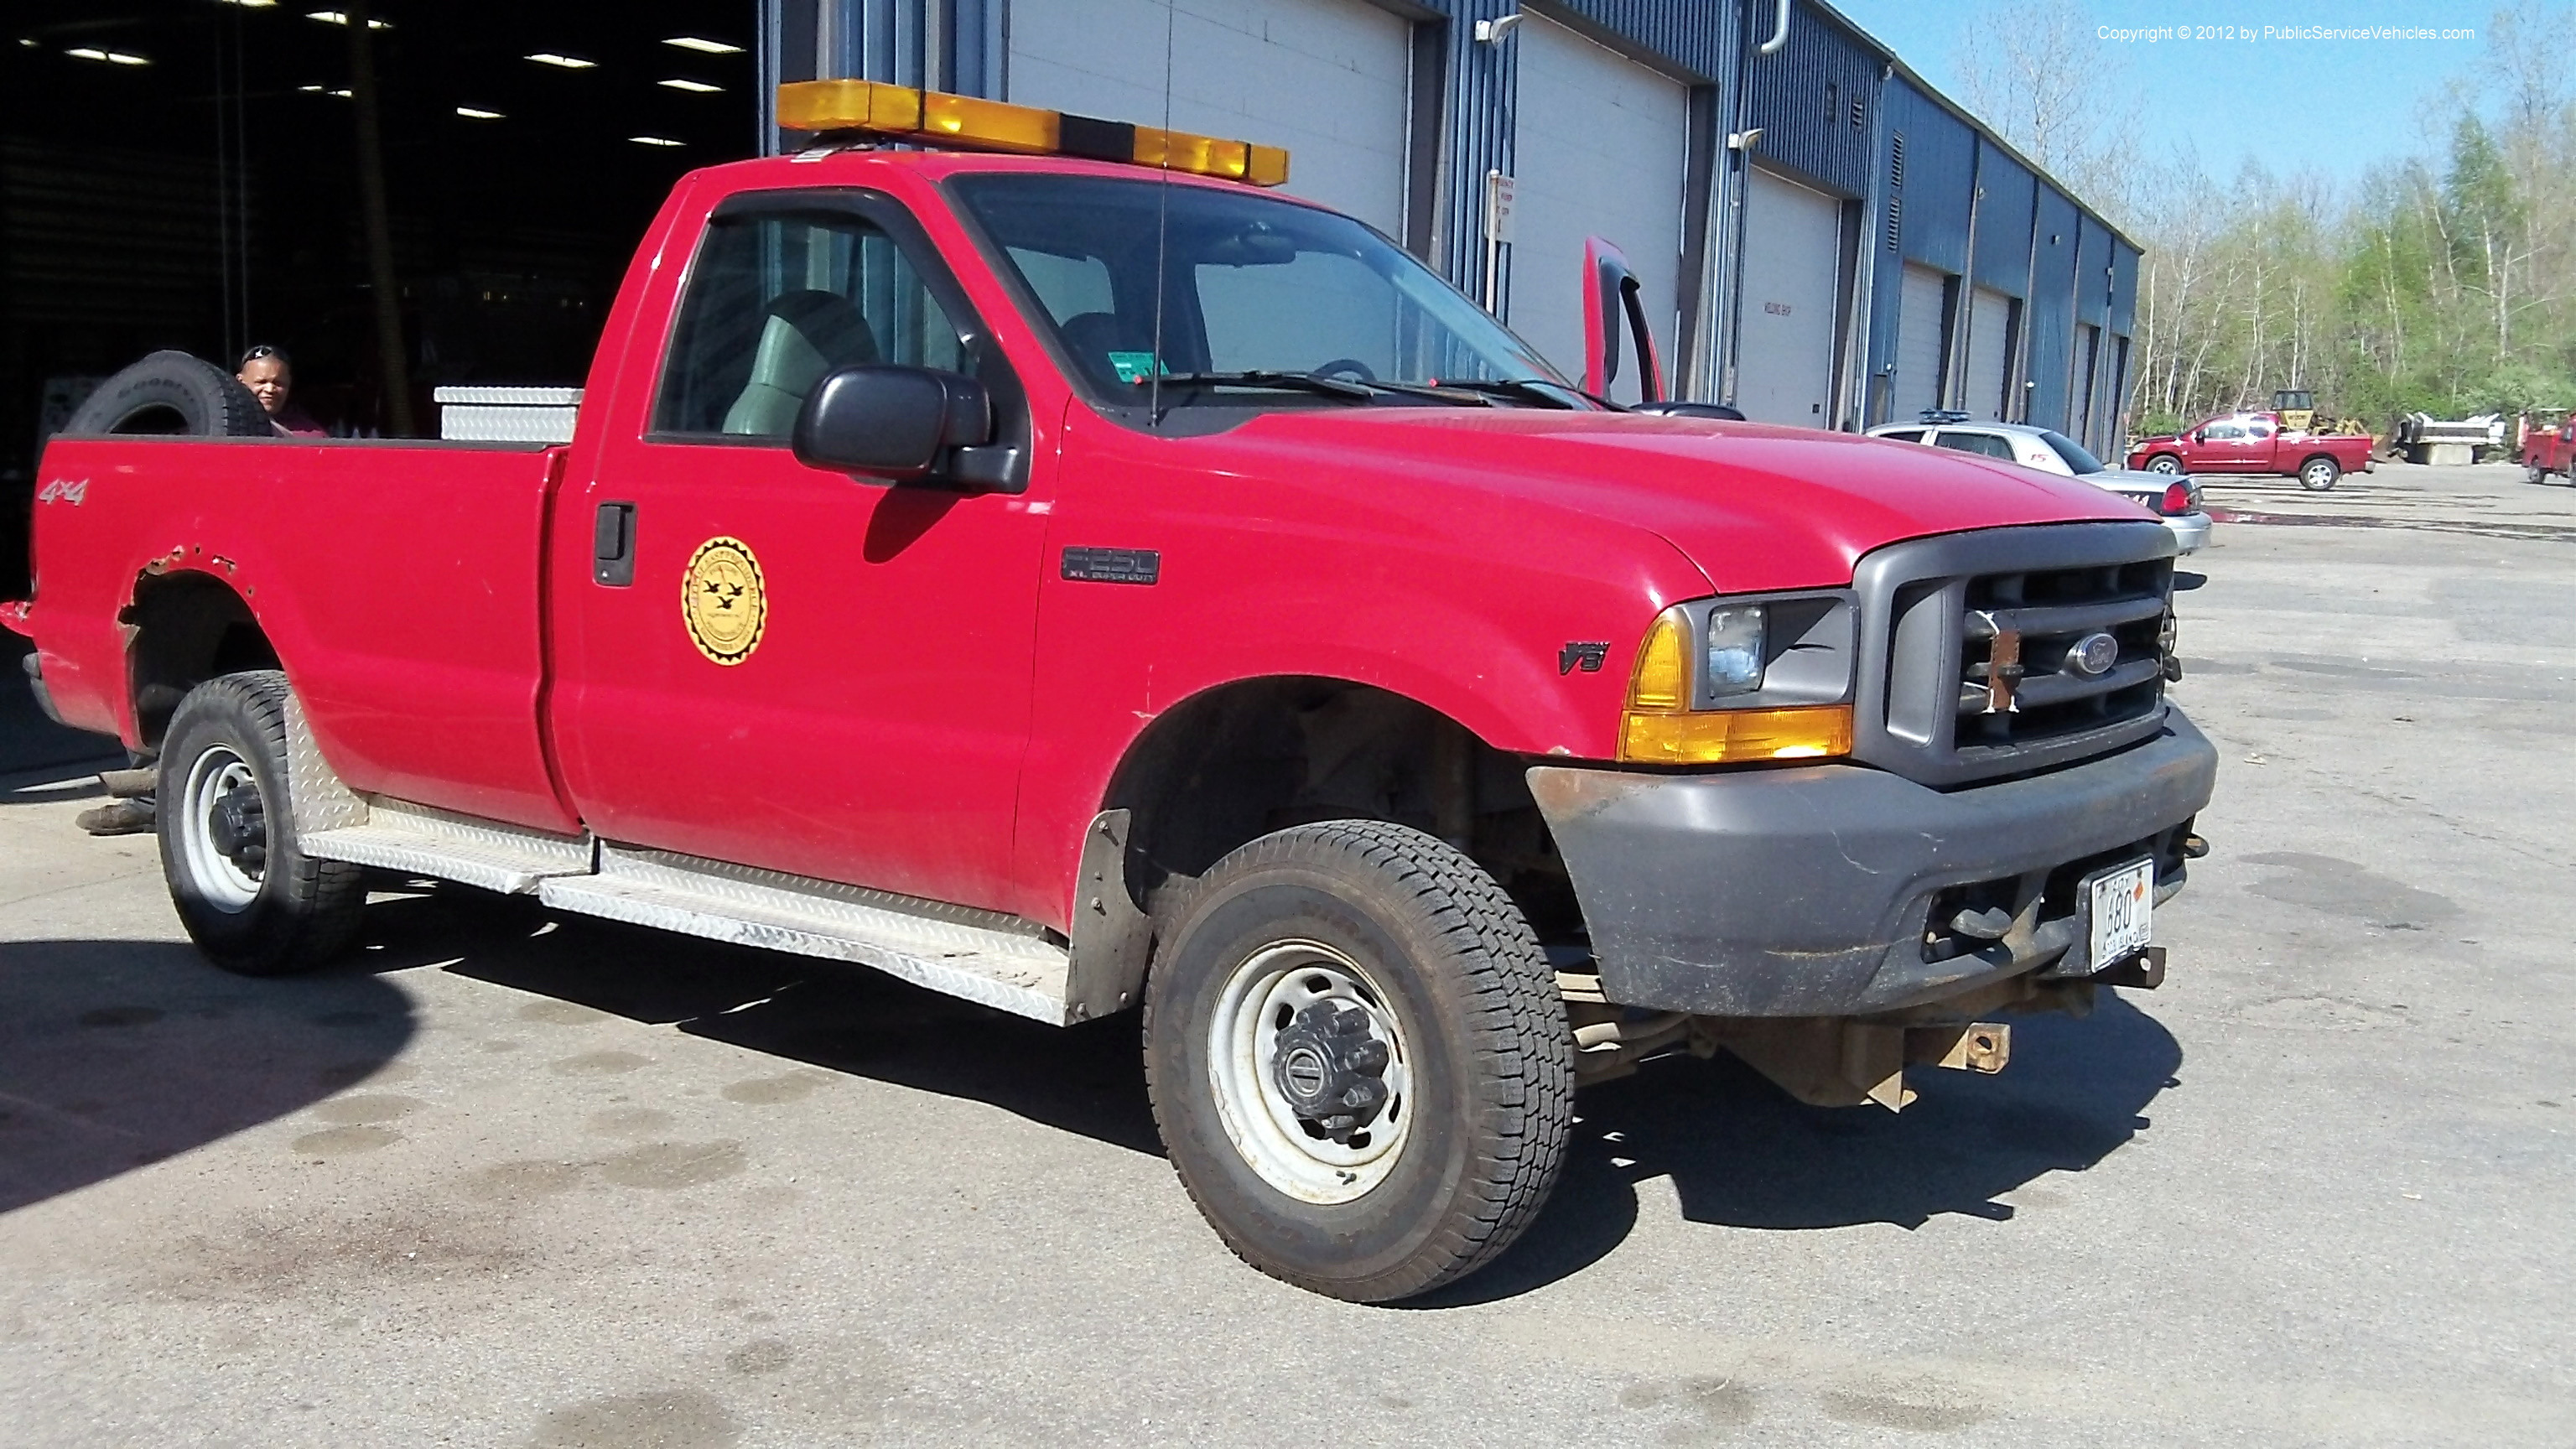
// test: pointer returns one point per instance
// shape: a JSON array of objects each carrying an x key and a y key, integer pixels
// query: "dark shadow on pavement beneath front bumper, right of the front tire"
[{"x": 1745, "y": 1154}]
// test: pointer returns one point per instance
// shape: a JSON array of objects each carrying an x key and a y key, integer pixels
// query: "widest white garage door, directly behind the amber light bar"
[{"x": 1325, "y": 79}]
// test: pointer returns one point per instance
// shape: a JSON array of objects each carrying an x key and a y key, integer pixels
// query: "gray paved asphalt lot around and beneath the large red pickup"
[{"x": 509, "y": 1182}]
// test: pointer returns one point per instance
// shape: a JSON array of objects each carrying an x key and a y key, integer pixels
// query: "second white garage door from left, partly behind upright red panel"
[{"x": 1601, "y": 151}]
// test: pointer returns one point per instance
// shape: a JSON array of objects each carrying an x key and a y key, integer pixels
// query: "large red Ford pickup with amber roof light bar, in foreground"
[{"x": 1078, "y": 589}]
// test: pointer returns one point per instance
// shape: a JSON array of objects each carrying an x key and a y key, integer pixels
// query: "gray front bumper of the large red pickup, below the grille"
[{"x": 1807, "y": 891}]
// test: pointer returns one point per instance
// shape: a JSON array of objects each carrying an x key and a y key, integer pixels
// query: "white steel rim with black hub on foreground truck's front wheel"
[{"x": 1310, "y": 1074}]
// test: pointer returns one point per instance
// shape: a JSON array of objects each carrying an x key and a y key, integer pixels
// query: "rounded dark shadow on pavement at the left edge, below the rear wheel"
[{"x": 122, "y": 1053}]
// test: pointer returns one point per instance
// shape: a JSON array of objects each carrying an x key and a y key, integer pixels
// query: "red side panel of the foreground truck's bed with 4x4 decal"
[{"x": 395, "y": 581}]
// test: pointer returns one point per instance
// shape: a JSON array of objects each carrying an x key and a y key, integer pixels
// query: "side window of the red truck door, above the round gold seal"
[{"x": 779, "y": 303}]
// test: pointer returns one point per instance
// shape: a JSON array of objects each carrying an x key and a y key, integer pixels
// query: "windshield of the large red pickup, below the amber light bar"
[{"x": 1253, "y": 290}]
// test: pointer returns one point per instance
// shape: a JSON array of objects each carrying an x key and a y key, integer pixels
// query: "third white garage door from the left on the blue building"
[{"x": 1786, "y": 318}]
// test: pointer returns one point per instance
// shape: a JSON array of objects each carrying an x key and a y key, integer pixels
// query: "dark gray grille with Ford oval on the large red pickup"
[{"x": 1977, "y": 656}]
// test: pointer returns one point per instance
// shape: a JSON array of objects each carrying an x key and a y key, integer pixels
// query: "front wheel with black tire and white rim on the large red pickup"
[{"x": 1359, "y": 1061}]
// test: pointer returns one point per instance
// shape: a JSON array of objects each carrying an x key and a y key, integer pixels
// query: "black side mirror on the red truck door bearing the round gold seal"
[{"x": 903, "y": 424}]
